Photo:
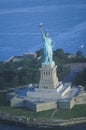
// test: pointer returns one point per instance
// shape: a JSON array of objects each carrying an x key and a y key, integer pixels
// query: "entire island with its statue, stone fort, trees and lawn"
[{"x": 35, "y": 89}]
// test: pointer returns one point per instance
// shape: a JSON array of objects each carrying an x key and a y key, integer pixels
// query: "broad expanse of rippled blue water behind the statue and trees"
[{"x": 64, "y": 20}]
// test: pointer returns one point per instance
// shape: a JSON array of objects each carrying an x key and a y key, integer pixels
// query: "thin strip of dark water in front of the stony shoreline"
[{"x": 17, "y": 127}]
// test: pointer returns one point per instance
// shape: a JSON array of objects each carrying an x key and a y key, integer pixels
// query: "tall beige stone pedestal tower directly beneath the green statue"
[{"x": 48, "y": 78}]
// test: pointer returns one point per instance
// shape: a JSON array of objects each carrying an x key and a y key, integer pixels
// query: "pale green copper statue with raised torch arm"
[{"x": 47, "y": 47}]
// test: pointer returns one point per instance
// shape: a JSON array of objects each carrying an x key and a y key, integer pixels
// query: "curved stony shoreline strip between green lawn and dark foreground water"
[{"x": 21, "y": 120}]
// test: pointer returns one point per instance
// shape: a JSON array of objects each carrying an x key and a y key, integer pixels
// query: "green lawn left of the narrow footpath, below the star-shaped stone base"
[{"x": 26, "y": 112}]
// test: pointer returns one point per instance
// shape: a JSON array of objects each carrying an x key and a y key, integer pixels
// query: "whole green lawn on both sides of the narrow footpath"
[{"x": 77, "y": 111}]
